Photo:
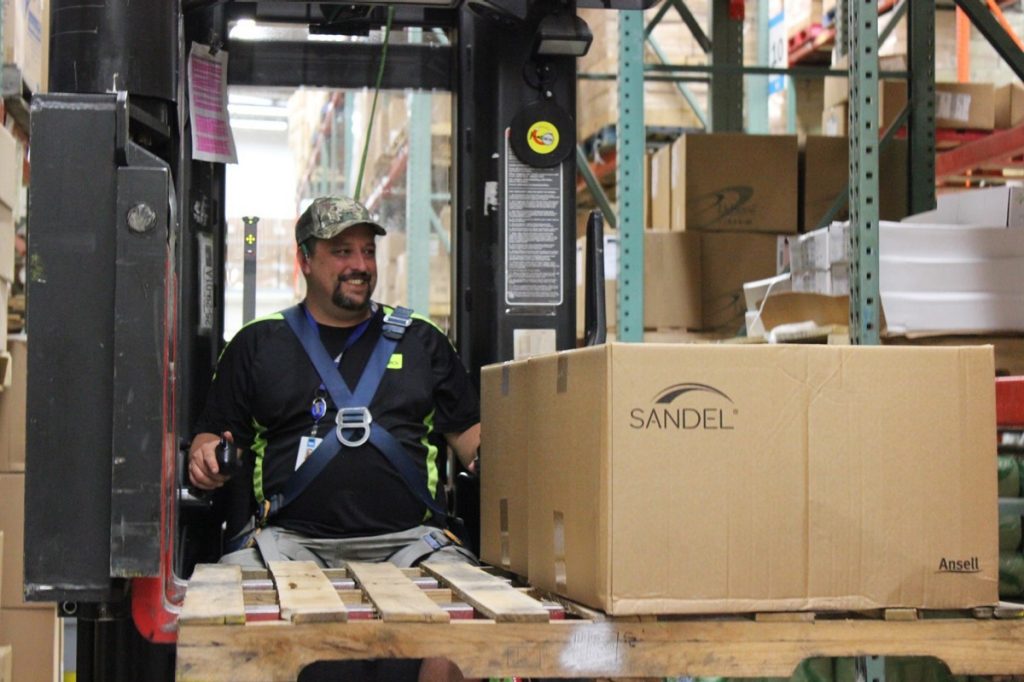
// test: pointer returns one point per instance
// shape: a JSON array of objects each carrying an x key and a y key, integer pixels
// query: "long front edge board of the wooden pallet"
[{"x": 567, "y": 650}]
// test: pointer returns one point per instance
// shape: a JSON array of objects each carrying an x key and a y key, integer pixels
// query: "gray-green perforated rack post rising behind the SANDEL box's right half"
[{"x": 864, "y": 126}]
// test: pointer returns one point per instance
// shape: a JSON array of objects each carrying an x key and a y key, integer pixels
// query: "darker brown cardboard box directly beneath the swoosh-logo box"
[{"x": 729, "y": 262}]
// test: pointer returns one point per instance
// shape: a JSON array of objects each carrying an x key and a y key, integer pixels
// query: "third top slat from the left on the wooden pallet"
[{"x": 398, "y": 600}]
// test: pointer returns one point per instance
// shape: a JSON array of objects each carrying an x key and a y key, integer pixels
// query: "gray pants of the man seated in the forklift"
[{"x": 334, "y": 553}]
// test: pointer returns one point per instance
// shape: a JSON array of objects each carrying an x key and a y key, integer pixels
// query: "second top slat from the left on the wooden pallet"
[{"x": 306, "y": 593}]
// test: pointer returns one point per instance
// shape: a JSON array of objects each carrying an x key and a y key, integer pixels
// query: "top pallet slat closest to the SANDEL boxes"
[{"x": 492, "y": 596}]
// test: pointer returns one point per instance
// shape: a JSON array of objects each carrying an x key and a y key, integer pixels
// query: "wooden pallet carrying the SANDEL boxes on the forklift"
[{"x": 258, "y": 627}]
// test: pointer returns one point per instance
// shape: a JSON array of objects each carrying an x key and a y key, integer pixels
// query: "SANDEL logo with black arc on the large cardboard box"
[{"x": 688, "y": 407}]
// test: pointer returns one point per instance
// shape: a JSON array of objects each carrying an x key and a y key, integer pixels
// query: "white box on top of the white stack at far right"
[{"x": 990, "y": 206}]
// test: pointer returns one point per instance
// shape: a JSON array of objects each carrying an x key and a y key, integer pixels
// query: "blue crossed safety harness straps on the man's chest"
[{"x": 356, "y": 425}]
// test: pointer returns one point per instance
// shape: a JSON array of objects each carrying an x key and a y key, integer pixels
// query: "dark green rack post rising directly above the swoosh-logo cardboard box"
[{"x": 727, "y": 89}]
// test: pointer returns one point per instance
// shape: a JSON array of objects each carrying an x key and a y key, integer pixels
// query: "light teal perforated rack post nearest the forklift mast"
[{"x": 630, "y": 141}]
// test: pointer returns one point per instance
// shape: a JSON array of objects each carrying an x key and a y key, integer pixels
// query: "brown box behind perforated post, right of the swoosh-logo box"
[{"x": 826, "y": 173}]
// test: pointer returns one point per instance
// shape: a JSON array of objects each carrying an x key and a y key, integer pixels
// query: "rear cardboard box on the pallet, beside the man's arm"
[{"x": 505, "y": 480}]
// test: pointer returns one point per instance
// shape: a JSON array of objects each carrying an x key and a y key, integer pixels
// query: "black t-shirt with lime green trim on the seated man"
[{"x": 264, "y": 392}]
